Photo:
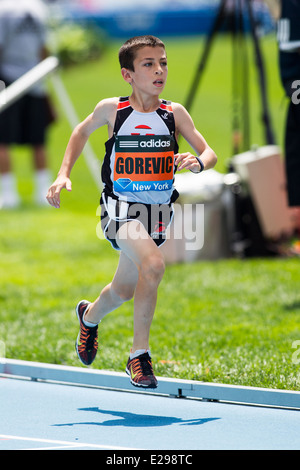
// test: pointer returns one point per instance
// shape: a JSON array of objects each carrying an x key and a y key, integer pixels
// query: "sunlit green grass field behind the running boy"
[{"x": 226, "y": 321}]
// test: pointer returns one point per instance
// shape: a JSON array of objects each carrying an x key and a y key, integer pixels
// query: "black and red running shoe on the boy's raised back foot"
[{"x": 87, "y": 340}]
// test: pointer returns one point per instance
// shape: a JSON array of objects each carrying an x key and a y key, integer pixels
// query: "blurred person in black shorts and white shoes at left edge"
[{"x": 23, "y": 46}]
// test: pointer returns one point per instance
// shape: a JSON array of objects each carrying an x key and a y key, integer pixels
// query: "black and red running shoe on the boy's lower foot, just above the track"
[{"x": 140, "y": 371}]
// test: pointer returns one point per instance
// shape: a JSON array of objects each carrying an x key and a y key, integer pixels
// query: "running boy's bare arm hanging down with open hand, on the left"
[{"x": 102, "y": 115}]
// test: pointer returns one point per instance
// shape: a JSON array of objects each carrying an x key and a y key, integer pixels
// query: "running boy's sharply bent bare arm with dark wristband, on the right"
[{"x": 185, "y": 126}]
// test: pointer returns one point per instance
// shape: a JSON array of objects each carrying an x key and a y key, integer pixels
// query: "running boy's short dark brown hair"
[{"x": 127, "y": 52}]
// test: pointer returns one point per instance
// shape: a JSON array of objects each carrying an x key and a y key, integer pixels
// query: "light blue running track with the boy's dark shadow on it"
[{"x": 49, "y": 414}]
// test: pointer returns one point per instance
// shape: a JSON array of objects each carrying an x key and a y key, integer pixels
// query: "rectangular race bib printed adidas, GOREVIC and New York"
[{"x": 144, "y": 163}]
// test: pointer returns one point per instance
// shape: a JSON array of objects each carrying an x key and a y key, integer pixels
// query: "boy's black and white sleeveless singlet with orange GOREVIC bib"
[{"x": 139, "y": 161}]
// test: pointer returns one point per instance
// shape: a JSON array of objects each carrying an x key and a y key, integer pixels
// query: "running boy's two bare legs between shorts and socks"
[{"x": 140, "y": 270}]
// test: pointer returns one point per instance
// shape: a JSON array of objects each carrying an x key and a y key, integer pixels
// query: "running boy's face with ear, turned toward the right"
[{"x": 150, "y": 70}]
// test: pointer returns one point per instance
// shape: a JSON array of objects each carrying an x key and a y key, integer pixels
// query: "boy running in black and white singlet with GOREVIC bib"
[{"x": 137, "y": 173}]
